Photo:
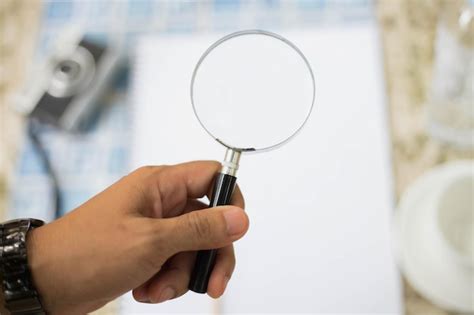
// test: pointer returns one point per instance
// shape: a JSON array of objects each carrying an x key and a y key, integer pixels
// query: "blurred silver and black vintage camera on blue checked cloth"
[{"x": 66, "y": 89}]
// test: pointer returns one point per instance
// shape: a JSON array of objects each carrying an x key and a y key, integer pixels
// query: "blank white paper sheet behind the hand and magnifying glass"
[{"x": 319, "y": 207}]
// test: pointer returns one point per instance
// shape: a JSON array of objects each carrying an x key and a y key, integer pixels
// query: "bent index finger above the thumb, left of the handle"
[{"x": 170, "y": 187}]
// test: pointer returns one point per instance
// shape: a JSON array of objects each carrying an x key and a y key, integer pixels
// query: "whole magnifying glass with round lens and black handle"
[{"x": 252, "y": 91}]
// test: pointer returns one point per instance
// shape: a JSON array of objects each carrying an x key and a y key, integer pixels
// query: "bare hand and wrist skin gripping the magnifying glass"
[{"x": 140, "y": 234}]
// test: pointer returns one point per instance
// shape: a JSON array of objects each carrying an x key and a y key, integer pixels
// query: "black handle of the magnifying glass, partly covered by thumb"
[{"x": 221, "y": 195}]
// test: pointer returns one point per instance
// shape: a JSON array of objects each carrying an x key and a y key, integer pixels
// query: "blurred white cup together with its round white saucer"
[{"x": 434, "y": 235}]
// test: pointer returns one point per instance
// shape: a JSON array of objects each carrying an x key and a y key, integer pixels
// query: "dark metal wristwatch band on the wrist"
[{"x": 21, "y": 297}]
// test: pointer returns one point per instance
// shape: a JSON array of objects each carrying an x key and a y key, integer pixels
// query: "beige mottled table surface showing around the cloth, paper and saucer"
[{"x": 408, "y": 31}]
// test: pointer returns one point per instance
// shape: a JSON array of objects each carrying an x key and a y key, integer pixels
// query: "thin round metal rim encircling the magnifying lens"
[{"x": 243, "y": 33}]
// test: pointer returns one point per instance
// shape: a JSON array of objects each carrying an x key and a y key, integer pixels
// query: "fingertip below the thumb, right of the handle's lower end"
[{"x": 222, "y": 272}]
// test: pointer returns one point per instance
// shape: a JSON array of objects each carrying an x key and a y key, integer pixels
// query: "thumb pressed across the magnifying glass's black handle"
[{"x": 205, "y": 229}]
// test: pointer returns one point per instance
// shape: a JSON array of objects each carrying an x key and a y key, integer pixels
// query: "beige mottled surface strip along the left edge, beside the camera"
[{"x": 18, "y": 27}]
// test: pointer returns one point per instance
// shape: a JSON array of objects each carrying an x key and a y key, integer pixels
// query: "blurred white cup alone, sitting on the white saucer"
[{"x": 455, "y": 219}]
